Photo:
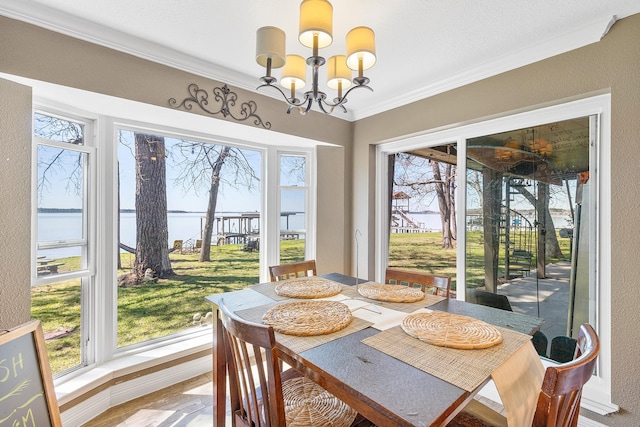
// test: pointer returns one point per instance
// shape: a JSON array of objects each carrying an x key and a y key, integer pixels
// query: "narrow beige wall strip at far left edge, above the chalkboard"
[{"x": 15, "y": 204}]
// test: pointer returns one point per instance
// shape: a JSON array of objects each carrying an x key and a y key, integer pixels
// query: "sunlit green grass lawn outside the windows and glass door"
[{"x": 168, "y": 306}]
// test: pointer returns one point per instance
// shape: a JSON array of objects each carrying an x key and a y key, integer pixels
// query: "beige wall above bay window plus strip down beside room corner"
[{"x": 39, "y": 54}]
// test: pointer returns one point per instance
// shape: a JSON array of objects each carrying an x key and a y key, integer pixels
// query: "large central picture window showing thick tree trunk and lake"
[{"x": 188, "y": 227}]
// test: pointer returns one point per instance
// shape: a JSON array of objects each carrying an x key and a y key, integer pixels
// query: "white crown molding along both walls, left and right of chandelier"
[{"x": 60, "y": 22}]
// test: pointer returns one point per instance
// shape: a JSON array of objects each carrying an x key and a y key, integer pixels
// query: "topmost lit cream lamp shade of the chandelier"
[{"x": 316, "y": 18}]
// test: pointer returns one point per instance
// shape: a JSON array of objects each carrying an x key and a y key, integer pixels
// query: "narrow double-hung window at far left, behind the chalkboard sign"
[{"x": 63, "y": 264}]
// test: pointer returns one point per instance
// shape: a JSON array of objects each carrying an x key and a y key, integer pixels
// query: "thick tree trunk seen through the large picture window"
[{"x": 152, "y": 235}]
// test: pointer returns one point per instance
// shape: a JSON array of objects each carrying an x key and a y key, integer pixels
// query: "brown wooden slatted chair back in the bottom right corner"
[{"x": 559, "y": 400}]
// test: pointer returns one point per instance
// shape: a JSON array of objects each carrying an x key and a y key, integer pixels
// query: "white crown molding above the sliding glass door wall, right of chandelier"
[{"x": 538, "y": 51}]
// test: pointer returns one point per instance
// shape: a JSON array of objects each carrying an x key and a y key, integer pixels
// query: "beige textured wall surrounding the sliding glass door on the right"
[{"x": 612, "y": 65}]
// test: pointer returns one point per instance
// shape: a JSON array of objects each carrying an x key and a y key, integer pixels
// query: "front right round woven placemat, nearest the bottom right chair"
[{"x": 451, "y": 330}]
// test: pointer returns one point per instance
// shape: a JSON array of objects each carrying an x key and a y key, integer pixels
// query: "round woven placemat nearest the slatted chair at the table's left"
[{"x": 307, "y": 318}]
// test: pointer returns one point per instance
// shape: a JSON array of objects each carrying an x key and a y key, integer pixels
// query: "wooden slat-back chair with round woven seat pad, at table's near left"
[{"x": 261, "y": 394}]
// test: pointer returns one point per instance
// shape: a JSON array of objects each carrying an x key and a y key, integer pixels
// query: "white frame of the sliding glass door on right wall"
[{"x": 597, "y": 392}]
